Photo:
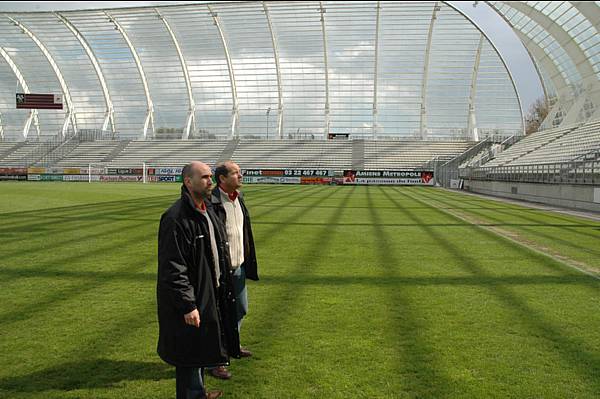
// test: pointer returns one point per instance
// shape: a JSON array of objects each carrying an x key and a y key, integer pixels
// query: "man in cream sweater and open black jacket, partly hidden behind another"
[{"x": 229, "y": 206}]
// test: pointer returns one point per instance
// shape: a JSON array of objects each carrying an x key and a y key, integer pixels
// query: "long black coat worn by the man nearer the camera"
[{"x": 186, "y": 281}]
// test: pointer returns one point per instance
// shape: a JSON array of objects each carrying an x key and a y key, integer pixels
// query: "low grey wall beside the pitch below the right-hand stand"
[{"x": 582, "y": 197}]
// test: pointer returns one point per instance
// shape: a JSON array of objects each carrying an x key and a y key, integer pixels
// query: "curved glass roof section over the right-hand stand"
[{"x": 562, "y": 38}]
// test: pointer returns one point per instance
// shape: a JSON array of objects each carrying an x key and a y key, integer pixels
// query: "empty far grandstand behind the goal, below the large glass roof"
[{"x": 253, "y": 154}]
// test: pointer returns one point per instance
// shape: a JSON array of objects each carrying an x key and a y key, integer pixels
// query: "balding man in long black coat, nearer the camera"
[{"x": 196, "y": 304}]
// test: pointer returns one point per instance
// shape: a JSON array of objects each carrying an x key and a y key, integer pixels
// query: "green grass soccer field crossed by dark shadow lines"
[{"x": 379, "y": 292}]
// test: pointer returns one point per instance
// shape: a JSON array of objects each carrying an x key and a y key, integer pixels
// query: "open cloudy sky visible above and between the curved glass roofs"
[{"x": 507, "y": 43}]
